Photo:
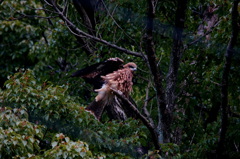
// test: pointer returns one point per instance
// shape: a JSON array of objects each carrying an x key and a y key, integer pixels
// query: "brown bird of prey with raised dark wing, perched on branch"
[{"x": 106, "y": 76}]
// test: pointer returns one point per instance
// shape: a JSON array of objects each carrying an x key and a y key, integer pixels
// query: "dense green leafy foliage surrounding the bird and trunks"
[{"x": 42, "y": 109}]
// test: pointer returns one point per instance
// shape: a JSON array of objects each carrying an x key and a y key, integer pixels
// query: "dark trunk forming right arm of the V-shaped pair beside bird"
[{"x": 177, "y": 51}]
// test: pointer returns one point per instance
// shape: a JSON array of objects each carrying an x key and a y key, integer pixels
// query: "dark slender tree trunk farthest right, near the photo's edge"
[{"x": 226, "y": 71}]
